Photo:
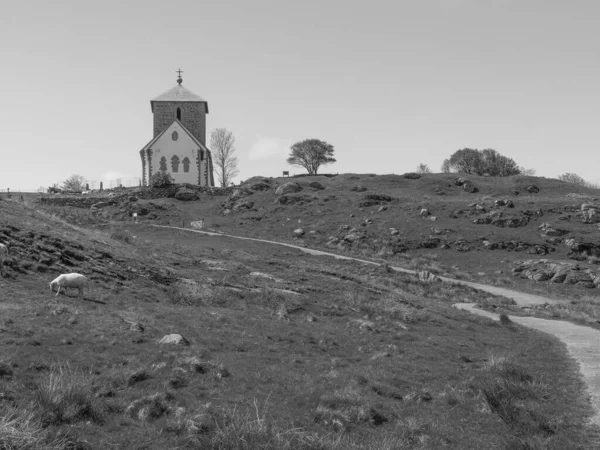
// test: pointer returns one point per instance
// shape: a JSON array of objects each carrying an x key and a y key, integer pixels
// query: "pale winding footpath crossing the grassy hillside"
[{"x": 582, "y": 342}]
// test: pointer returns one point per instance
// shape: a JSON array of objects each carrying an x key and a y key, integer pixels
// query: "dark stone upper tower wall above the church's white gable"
[{"x": 193, "y": 117}]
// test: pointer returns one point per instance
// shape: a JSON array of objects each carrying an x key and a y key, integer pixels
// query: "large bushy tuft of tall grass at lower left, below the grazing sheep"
[{"x": 67, "y": 396}]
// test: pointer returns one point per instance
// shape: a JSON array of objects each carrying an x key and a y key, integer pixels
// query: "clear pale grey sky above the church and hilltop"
[{"x": 390, "y": 84}]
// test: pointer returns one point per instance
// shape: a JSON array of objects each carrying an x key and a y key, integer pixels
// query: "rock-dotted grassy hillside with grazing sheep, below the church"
[{"x": 281, "y": 350}]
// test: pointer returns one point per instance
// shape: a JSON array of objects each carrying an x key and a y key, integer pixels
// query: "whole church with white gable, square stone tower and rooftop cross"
[{"x": 179, "y": 144}]
